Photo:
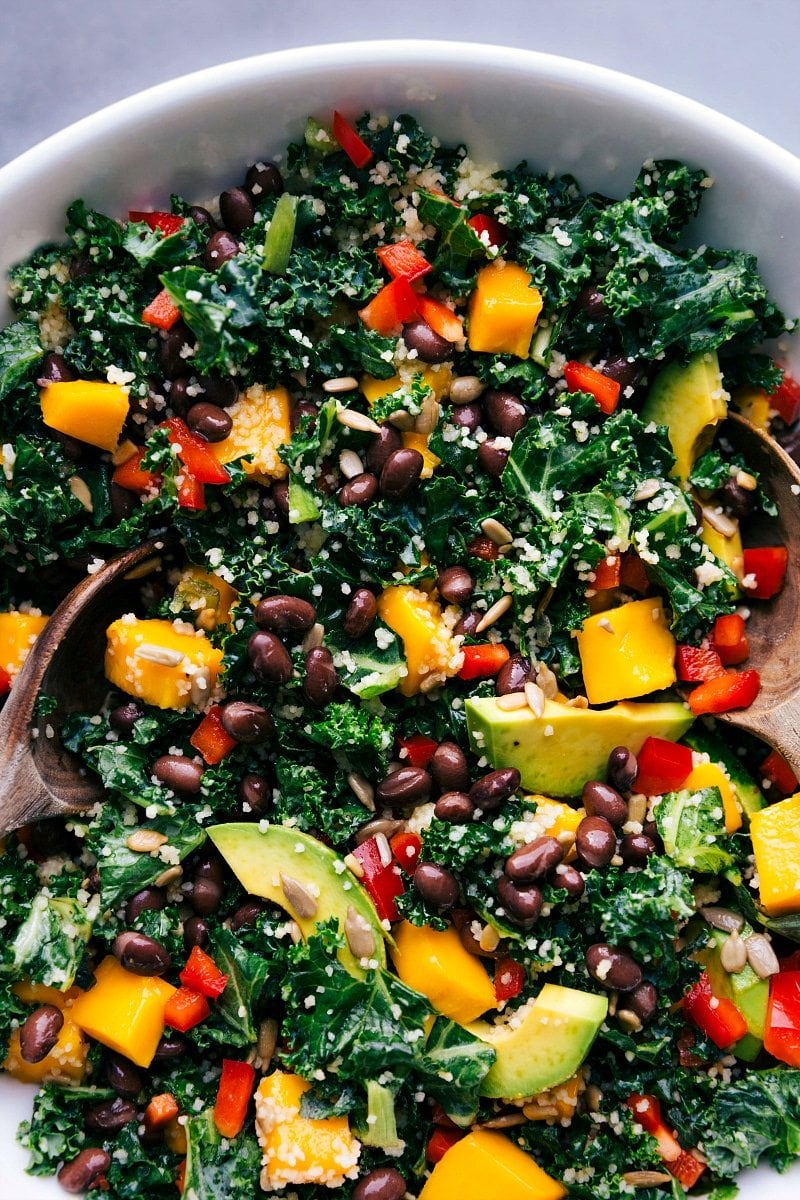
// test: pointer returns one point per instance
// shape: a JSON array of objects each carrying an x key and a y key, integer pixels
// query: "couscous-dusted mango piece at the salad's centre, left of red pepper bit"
[{"x": 428, "y": 643}]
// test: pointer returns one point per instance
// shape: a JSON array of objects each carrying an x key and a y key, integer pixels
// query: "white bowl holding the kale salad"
[{"x": 195, "y": 136}]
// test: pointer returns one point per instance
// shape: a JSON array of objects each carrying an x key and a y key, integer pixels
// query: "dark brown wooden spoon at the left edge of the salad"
[{"x": 39, "y": 778}]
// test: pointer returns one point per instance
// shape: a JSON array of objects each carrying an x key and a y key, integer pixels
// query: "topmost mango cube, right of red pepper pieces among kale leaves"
[{"x": 503, "y": 310}]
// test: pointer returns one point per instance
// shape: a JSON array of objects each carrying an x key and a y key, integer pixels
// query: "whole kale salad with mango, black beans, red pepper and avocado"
[{"x": 422, "y": 867}]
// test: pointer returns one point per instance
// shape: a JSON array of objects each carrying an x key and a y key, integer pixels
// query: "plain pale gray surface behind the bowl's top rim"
[{"x": 63, "y": 59}]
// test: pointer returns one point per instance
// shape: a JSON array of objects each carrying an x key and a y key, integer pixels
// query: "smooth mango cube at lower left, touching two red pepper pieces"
[{"x": 124, "y": 1012}]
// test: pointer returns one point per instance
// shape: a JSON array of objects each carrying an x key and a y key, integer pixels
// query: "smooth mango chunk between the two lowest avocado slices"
[{"x": 435, "y": 963}]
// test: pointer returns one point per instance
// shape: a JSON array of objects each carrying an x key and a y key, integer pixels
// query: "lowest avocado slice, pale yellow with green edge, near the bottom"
[{"x": 546, "y": 1047}]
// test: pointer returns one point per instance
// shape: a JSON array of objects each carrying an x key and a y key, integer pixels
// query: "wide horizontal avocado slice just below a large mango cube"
[{"x": 558, "y": 752}]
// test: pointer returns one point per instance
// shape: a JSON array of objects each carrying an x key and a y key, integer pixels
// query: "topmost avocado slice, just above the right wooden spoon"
[{"x": 690, "y": 401}]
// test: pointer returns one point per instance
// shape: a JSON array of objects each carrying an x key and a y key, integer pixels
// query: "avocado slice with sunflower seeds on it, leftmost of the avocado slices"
[{"x": 263, "y": 861}]
